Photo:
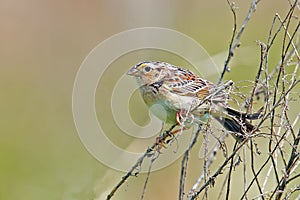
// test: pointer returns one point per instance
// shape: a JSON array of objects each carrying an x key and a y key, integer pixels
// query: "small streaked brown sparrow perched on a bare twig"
[{"x": 185, "y": 98}]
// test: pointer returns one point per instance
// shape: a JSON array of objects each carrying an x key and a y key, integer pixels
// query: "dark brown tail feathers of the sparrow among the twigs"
[{"x": 237, "y": 122}]
